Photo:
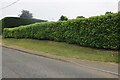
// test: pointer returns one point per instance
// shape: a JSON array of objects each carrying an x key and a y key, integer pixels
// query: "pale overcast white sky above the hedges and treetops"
[{"x": 51, "y": 10}]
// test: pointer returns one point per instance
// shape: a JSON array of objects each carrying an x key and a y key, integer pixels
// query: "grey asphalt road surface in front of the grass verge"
[{"x": 16, "y": 64}]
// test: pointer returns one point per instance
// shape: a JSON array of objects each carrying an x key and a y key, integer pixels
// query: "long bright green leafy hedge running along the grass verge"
[{"x": 98, "y": 31}]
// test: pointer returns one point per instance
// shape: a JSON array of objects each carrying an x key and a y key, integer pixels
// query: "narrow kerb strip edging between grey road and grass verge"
[{"x": 59, "y": 58}]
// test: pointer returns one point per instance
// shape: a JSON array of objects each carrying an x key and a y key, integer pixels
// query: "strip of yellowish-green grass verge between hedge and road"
[{"x": 64, "y": 49}]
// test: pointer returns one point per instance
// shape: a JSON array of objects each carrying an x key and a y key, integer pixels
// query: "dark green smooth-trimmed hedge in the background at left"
[{"x": 10, "y": 22}]
